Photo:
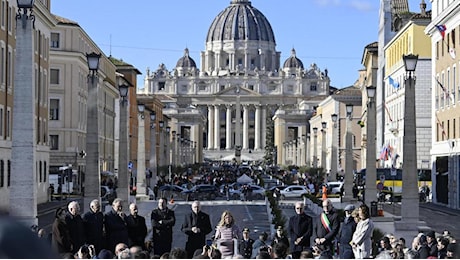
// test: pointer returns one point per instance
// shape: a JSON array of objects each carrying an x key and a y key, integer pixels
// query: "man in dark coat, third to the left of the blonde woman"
[{"x": 137, "y": 229}]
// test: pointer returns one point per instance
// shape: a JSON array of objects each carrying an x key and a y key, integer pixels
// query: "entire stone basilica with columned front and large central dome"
[{"x": 240, "y": 87}]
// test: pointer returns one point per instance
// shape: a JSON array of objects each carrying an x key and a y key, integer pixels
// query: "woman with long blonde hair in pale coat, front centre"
[{"x": 227, "y": 235}]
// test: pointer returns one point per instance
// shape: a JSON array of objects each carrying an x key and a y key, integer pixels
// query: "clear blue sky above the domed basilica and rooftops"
[{"x": 145, "y": 33}]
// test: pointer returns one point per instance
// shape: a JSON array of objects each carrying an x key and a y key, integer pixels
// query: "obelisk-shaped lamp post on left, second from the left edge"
[{"x": 92, "y": 182}]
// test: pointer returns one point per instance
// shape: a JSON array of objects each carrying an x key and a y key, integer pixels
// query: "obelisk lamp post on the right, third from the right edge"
[{"x": 348, "y": 182}]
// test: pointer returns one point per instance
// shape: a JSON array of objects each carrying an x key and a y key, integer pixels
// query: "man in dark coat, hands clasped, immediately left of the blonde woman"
[{"x": 196, "y": 226}]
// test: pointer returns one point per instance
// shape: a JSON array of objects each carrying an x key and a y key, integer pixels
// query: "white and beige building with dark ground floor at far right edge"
[{"x": 445, "y": 102}]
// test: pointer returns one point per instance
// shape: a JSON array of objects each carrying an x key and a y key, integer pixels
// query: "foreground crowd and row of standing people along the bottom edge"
[{"x": 114, "y": 234}]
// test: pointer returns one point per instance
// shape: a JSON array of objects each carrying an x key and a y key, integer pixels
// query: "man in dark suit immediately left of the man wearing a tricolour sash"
[{"x": 300, "y": 230}]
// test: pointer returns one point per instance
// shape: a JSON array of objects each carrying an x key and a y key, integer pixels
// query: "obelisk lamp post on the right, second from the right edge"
[{"x": 371, "y": 172}]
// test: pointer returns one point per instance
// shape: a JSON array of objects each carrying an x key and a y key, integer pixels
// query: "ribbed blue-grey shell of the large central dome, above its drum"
[{"x": 240, "y": 21}]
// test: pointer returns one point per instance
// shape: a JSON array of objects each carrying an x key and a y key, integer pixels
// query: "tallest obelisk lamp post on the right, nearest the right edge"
[{"x": 410, "y": 200}]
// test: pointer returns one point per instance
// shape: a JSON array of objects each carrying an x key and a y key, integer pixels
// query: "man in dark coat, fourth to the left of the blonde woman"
[{"x": 116, "y": 227}]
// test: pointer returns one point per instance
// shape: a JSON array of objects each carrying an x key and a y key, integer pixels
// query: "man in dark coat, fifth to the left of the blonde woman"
[{"x": 93, "y": 221}]
